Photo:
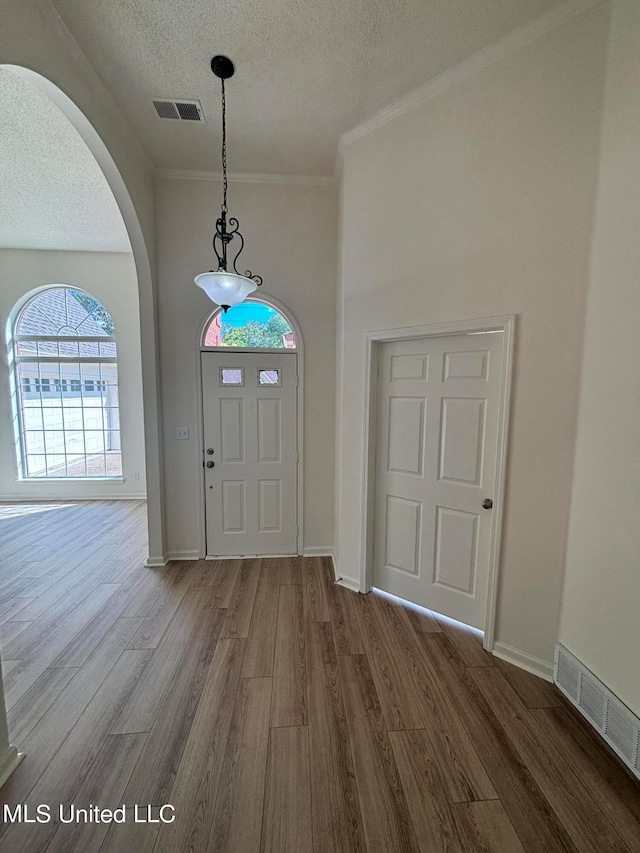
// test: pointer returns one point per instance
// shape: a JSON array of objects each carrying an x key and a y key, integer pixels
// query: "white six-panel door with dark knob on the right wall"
[{"x": 437, "y": 432}]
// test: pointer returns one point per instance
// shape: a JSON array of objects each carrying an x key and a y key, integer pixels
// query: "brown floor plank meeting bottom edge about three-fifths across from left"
[{"x": 385, "y": 815}]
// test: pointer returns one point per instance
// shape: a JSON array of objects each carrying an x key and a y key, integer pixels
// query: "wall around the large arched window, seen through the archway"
[{"x": 111, "y": 278}]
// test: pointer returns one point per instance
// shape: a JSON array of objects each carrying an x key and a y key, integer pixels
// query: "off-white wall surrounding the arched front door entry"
[{"x": 290, "y": 232}]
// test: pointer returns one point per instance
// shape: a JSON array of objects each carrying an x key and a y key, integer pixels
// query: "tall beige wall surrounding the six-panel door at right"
[{"x": 477, "y": 203}]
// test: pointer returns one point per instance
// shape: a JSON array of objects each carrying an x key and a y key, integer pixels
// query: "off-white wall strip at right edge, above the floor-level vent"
[{"x": 600, "y": 620}]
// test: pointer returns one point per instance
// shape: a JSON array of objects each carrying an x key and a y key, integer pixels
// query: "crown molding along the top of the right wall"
[{"x": 468, "y": 68}]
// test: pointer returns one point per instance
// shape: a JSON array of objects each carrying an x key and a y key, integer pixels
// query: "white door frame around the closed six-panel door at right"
[{"x": 506, "y": 325}]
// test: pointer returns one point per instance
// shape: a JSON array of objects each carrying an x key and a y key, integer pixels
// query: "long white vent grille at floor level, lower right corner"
[{"x": 611, "y": 718}]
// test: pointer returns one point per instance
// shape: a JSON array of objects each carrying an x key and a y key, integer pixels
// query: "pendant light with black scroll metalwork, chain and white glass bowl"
[{"x": 226, "y": 287}]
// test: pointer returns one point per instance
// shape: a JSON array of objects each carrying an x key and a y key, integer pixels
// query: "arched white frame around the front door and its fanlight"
[{"x": 299, "y": 353}]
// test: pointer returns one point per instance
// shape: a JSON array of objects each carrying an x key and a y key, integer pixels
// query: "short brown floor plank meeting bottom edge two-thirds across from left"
[{"x": 434, "y": 819}]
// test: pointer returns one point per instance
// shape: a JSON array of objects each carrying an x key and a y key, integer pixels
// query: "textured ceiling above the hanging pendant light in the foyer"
[{"x": 307, "y": 70}]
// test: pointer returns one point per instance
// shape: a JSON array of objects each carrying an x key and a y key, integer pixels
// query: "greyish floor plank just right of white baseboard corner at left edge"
[{"x": 42, "y": 742}]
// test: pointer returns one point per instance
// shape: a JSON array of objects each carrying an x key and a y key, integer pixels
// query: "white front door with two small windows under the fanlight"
[{"x": 250, "y": 441}]
